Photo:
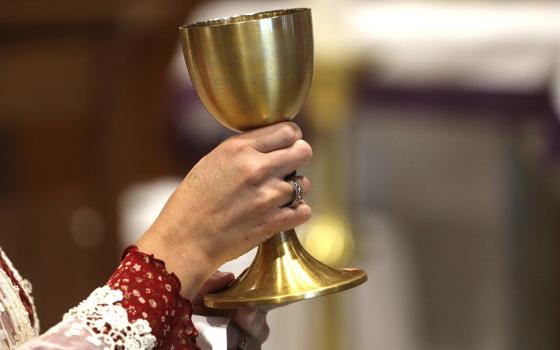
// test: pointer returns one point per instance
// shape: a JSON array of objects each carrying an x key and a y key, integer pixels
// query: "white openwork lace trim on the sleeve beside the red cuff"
[{"x": 107, "y": 322}]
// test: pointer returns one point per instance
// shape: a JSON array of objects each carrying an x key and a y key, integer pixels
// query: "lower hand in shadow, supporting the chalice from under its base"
[{"x": 247, "y": 325}]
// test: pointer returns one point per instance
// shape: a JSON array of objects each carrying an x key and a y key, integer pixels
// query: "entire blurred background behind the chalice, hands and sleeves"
[{"x": 436, "y": 132}]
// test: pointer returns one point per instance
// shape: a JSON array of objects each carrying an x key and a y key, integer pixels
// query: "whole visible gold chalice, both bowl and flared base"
[{"x": 251, "y": 71}]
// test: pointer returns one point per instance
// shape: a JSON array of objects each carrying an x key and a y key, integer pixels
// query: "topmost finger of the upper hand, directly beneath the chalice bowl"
[{"x": 273, "y": 137}]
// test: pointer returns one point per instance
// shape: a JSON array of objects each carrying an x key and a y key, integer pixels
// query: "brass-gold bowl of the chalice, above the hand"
[{"x": 251, "y": 70}]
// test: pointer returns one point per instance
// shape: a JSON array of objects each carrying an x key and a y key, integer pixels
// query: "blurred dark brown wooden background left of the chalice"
[{"x": 81, "y": 117}]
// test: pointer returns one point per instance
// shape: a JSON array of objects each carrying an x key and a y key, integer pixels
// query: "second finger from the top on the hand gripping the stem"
[{"x": 284, "y": 161}]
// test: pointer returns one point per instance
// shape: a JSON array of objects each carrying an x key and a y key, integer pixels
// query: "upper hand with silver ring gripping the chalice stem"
[{"x": 230, "y": 201}]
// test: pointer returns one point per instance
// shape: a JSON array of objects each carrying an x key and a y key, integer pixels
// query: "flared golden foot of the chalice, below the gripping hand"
[{"x": 284, "y": 272}]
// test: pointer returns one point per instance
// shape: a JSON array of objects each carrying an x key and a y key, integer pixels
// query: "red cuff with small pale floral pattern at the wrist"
[{"x": 151, "y": 293}]
